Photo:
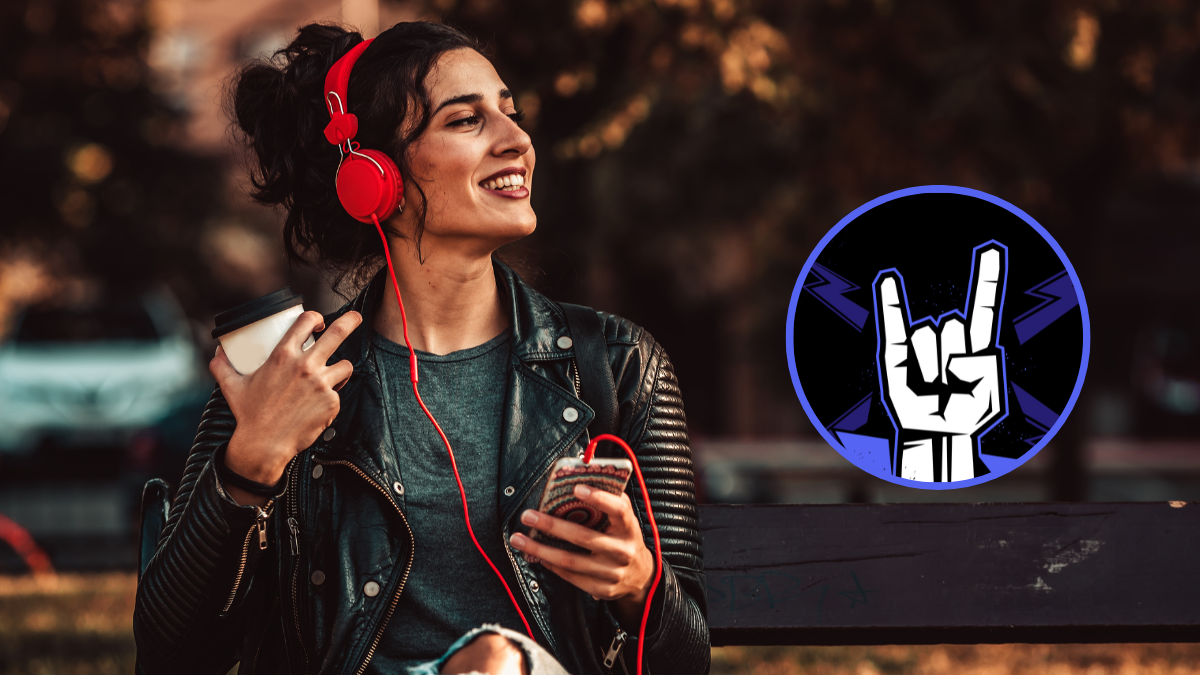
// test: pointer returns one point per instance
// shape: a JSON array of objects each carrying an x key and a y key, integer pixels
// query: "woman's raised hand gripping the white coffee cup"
[{"x": 283, "y": 407}]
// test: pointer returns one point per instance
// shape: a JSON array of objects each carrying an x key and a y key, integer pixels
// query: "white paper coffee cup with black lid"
[{"x": 249, "y": 333}]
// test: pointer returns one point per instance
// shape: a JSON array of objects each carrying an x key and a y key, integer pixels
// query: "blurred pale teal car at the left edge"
[{"x": 95, "y": 375}]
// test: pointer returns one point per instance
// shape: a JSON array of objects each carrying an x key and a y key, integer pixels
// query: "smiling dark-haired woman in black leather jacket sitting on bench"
[{"x": 352, "y": 554}]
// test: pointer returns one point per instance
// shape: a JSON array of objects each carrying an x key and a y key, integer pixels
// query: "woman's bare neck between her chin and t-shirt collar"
[{"x": 452, "y": 301}]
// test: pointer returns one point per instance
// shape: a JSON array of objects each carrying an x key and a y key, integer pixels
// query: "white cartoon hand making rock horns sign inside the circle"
[{"x": 944, "y": 381}]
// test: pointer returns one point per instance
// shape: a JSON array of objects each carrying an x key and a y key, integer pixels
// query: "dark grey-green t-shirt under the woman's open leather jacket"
[{"x": 451, "y": 588}]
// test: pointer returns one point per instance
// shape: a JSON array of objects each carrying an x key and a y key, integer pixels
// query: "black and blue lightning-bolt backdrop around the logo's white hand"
[{"x": 929, "y": 238}]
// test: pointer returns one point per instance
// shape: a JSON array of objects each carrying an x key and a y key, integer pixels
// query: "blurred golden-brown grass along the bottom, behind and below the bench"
[{"x": 82, "y": 625}]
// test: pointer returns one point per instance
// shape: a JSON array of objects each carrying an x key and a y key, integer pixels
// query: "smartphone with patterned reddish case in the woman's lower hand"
[{"x": 559, "y": 498}]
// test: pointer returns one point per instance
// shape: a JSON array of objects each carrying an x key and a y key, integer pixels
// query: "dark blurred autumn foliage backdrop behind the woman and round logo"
[{"x": 692, "y": 156}]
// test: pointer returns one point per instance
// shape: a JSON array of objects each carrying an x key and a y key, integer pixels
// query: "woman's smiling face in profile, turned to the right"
[{"x": 473, "y": 163}]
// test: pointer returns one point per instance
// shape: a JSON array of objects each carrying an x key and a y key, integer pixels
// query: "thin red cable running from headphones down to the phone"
[{"x": 587, "y": 458}]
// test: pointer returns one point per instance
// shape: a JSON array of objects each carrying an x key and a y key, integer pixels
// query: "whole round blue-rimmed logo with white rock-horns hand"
[{"x": 938, "y": 337}]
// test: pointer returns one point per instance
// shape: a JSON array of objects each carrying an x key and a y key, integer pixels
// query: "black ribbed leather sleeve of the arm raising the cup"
[{"x": 190, "y": 602}]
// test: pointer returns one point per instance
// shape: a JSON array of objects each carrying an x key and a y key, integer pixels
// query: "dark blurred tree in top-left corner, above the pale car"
[{"x": 92, "y": 174}]
